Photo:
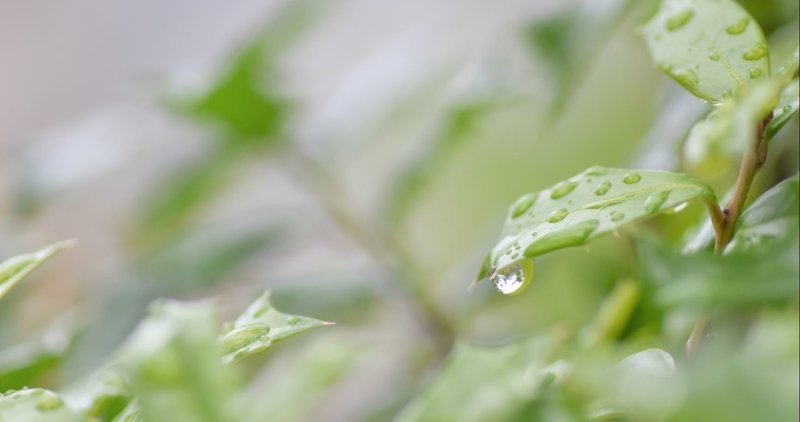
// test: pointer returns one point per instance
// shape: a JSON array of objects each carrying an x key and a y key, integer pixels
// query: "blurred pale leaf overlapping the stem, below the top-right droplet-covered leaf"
[{"x": 730, "y": 129}]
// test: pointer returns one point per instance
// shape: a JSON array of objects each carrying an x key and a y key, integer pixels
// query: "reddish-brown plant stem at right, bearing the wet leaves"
[{"x": 725, "y": 224}]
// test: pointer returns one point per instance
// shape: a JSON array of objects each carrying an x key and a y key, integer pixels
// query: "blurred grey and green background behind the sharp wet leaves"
[{"x": 356, "y": 157}]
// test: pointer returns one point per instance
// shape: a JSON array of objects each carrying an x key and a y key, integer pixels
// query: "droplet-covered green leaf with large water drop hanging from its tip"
[{"x": 577, "y": 210}]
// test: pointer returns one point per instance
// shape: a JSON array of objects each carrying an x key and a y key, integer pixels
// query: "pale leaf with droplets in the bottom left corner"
[{"x": 35, "y": 405}]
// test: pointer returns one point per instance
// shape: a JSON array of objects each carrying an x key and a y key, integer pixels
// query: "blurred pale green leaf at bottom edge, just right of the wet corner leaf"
[{"x": 104, "y": 396}]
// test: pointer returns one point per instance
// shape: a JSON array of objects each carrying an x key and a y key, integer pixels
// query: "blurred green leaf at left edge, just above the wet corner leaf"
[{"x": 28, "y": 363}]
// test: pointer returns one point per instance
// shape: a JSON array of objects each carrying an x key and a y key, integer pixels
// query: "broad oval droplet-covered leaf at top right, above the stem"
[{"x": 713, "y": 48}]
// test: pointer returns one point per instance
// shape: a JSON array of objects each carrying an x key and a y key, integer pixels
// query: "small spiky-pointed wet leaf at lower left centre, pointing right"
[{"x": 259, "y": 327}]
